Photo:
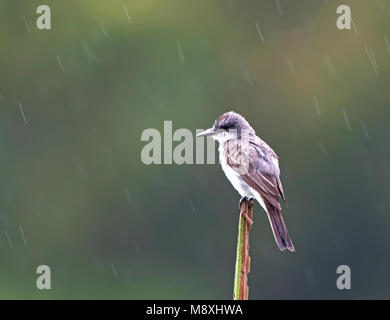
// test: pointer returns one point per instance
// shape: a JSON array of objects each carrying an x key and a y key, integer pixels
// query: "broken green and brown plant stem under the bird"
[{"x": 241, "y": 289}]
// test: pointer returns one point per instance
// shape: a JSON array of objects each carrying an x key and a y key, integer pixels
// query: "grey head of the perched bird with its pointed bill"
[{"x": 228, "y": 126}]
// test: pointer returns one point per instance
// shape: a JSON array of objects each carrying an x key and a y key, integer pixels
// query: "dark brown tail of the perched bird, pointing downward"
[{"x": 279, "y": 228}]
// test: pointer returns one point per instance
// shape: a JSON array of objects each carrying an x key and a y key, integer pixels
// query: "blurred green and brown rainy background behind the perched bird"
[{"x": 72, "y": 179}]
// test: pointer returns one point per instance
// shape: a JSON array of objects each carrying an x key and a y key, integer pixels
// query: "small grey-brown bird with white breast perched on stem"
[{"x": 252, "y": 167}]
